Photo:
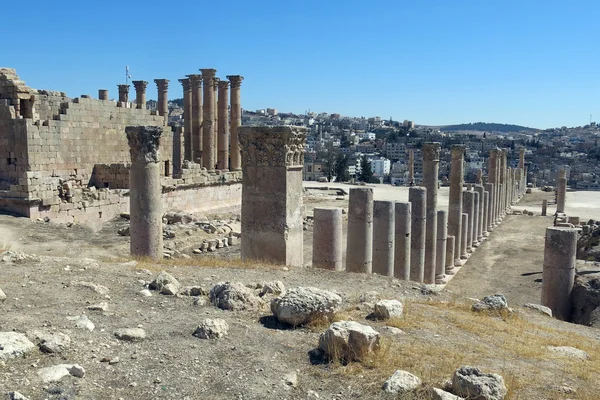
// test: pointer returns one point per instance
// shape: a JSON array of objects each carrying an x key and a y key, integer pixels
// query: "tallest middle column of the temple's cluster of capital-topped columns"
[{"x": 208, "y": 123}]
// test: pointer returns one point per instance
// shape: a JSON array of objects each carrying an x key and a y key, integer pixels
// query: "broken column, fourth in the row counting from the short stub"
[{"x": 402, "y": 241}]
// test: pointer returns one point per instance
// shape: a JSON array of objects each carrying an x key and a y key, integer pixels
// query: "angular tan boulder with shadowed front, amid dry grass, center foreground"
[{"x": 348, "y": 341}]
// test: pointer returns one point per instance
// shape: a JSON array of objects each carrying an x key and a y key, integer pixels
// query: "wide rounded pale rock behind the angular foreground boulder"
[{"x": 302, "y": 305}]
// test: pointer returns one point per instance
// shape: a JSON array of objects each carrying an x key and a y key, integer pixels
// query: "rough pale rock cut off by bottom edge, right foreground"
[{"x": 470, "y": 382}]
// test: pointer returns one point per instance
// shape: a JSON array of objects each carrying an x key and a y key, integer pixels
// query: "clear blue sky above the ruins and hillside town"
[{"x": 529, "y": 62}]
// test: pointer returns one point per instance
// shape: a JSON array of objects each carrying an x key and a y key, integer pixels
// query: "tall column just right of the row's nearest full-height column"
[{"x": 455, "y": 198}]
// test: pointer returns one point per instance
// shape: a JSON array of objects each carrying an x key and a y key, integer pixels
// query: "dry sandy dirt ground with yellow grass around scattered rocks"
[{"x": 439, "y": 332}]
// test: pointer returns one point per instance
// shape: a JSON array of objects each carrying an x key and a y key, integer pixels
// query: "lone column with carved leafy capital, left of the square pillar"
[{"x": 145, "y": 203}]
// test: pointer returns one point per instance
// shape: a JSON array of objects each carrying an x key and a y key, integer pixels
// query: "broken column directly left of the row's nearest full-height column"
[{"x": 416, "y": 197}]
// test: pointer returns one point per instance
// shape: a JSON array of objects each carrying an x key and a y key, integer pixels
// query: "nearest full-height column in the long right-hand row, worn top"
[{"x": 431, "y": 161}]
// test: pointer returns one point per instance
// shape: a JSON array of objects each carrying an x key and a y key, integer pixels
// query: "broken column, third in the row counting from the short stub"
[{"x": 383, "y": 238}]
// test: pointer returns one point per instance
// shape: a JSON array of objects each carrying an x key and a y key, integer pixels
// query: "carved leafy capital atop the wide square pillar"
[{"x": 278, "y": 146}]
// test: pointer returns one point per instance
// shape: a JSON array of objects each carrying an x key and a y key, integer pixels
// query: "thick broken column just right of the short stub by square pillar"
[{"x": 359, "y": 249}]
